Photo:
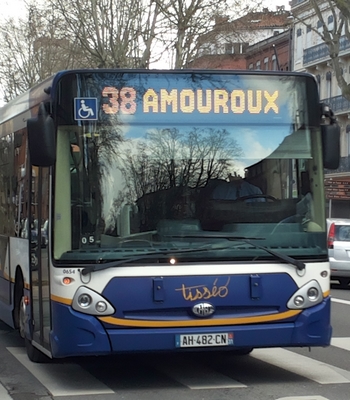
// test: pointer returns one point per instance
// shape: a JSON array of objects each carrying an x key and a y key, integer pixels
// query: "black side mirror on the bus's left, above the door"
[{"x": 41, "y": 138}]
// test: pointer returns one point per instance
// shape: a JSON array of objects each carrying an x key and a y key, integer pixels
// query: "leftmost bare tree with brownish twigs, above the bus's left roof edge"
[{"x": 31, "y": 50}]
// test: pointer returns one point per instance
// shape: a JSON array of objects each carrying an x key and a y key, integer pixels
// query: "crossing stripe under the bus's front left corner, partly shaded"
[{"x": 62, "y": 379}]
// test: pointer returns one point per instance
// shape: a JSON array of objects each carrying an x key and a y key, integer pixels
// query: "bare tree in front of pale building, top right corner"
[{"x": 340, "y": 10}]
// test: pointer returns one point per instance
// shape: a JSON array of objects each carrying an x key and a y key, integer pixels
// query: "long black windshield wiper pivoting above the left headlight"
[{"x": 101, "y": 264}]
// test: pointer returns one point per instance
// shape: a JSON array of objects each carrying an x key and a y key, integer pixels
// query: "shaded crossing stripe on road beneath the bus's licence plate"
[{"x": 196, "y": 376}]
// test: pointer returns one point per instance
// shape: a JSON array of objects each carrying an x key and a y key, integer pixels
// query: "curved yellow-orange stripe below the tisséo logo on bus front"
[{"x": 197, "y": 322}]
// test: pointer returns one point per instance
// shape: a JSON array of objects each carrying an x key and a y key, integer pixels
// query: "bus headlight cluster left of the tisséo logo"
[{"x": 90, "y": 302}]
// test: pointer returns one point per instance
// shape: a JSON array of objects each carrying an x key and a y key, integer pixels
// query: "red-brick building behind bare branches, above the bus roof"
[{"x": 258, "y": 40}]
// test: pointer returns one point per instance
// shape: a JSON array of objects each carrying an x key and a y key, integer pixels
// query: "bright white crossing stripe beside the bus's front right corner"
[{"x": 301, "y": 365}]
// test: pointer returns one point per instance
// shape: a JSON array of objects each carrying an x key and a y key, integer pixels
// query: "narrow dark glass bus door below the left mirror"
[{"x": 39, "y": 247}]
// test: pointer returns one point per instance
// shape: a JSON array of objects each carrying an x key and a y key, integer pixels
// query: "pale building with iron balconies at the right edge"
[{"x": 311, "y": 54}]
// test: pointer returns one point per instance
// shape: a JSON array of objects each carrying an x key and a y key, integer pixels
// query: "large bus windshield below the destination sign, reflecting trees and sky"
[{"x": 133, "y": 188}]
